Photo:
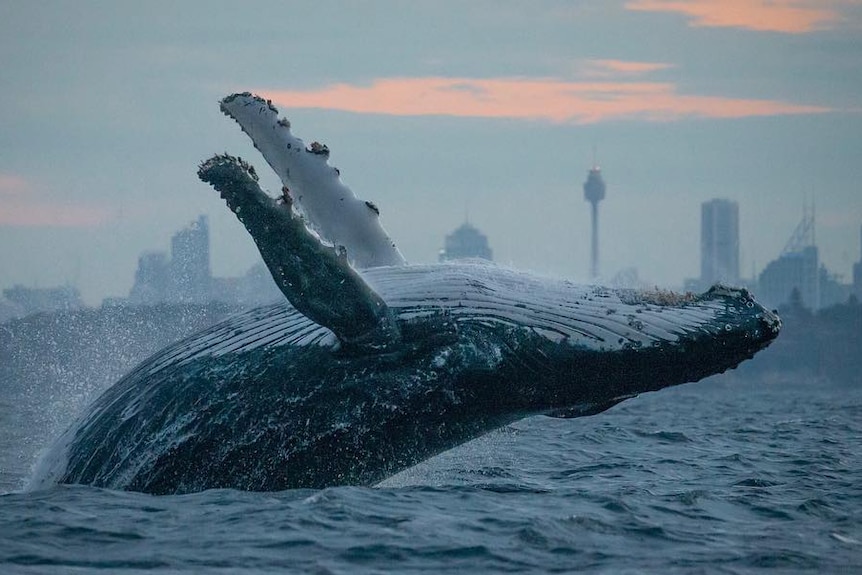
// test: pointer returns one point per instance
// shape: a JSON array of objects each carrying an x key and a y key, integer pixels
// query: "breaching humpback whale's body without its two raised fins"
[{"x": 266, "y": 401}]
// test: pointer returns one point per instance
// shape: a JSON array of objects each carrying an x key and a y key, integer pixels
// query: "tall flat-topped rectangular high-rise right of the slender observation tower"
[{"x": 719, "y": 242}]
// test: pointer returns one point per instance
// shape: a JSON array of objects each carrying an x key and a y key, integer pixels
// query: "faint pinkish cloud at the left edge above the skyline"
[{"x": 20, "y": 206}]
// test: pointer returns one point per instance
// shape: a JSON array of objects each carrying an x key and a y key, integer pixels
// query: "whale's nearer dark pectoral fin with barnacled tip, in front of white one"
[{"x": 316, "y": 278}]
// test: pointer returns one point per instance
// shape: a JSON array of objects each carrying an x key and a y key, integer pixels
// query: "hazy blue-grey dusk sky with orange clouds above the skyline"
[{"x": 437, "y": 111}]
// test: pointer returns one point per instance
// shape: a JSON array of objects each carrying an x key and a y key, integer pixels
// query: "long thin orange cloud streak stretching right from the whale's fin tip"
[{"x": 548, "y": 100}]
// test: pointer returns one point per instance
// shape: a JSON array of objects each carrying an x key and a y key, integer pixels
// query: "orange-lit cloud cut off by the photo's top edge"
[{"x": 787, "y": 16}]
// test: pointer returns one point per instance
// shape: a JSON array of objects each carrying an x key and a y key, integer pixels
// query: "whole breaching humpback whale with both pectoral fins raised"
[{"x": 371, "y": 365}]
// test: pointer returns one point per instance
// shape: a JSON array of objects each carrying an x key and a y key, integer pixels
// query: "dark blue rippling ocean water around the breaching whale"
[{"x": 722, "y": 476}]
